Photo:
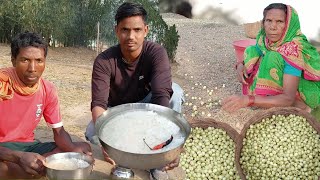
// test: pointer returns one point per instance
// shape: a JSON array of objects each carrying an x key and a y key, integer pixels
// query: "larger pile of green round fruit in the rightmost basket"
[{"x": 281, "y": 147}]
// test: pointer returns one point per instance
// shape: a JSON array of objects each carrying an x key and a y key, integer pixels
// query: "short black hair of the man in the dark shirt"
[{"x": 129, "y": 9}]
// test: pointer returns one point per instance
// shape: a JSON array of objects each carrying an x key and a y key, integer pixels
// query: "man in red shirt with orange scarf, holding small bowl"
[{"x": 24, "y": 98}]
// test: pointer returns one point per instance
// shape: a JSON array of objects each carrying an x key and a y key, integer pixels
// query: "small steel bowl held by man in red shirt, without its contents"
[{"x": 80, "y": 173}]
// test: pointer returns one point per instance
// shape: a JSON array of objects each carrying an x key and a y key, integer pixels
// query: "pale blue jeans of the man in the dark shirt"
[{"x": 175, "y": 103}]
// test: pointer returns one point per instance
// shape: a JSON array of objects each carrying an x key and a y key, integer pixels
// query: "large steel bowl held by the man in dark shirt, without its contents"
[{"x": 136, "y": 160}]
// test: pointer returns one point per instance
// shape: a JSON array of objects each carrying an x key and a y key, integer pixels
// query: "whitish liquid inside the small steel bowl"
[{"x": 67, "y": 164}]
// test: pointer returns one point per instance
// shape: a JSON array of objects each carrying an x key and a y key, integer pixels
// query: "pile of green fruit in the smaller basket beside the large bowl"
[{"x": 209, "y": 154}]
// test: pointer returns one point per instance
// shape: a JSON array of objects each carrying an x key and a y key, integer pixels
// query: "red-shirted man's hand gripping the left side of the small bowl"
[{"x": 32, "y": 163}]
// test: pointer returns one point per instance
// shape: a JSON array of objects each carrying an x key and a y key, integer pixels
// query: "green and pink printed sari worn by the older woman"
[{"x": 264, "y": 63}]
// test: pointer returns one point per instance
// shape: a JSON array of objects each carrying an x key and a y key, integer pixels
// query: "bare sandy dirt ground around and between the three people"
[{"x": 204, "y": 68}]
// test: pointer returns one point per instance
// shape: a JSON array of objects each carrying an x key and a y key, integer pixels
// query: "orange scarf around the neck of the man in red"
[{"x": 10, "y": 83}]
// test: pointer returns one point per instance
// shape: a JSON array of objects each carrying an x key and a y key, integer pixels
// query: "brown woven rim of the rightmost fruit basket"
[{"x": 267, "y": 114}]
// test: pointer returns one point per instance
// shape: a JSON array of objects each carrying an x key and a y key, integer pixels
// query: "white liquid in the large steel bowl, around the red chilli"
[{"x": 126, "y": 132}]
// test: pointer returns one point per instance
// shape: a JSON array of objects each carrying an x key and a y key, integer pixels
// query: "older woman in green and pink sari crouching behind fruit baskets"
[{"x": 282, "y": 69}]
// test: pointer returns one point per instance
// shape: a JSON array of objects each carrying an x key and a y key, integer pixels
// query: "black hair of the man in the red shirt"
[{"x": 26, "y": 39}]
